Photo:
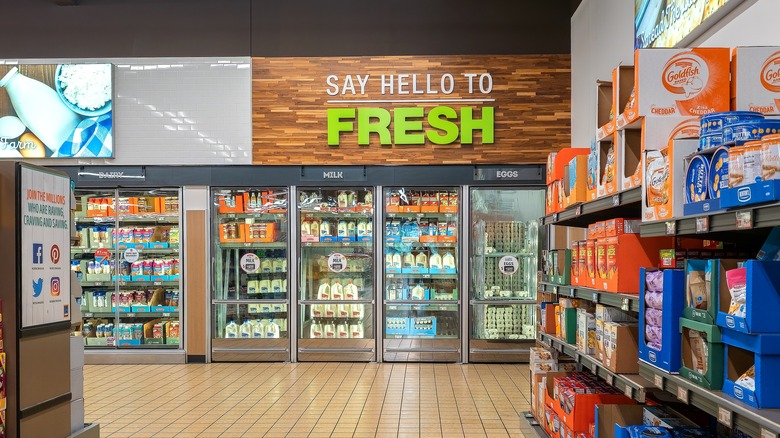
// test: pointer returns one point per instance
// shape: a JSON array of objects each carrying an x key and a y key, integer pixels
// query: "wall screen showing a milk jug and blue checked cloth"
[{"x": 56, "y": 111}]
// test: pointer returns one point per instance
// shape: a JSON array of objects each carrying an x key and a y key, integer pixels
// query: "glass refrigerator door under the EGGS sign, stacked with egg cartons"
[{"x": 504, "y": 252}]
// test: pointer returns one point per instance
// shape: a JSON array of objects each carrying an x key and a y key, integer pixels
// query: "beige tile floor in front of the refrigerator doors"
[{"x": 308, "y": 400}]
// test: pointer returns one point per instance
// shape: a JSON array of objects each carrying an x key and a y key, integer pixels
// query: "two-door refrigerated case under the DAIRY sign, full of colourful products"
[{"x": 129, "y": 266}]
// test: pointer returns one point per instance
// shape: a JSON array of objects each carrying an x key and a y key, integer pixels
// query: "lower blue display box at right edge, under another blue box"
[{"x": 743, "y": 351}]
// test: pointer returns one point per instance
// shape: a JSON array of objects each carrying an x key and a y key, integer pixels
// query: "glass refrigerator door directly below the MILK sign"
[{"x": 336, "y": 289}]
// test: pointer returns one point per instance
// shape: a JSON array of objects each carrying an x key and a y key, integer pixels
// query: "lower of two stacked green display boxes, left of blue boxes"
[{"x": 712, "y": 375}]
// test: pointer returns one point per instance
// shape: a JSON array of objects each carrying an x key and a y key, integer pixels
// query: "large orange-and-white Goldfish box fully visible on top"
[{"x": 682, "y": 82}]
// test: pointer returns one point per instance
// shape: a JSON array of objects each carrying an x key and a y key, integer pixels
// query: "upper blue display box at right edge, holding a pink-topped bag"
[{"x": 762, "y": 299}]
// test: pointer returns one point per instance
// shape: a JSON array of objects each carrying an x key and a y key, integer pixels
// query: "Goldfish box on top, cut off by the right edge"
[{"x": 755, "y": 79}]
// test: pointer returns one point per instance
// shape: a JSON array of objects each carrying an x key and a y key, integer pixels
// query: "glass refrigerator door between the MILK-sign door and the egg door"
[{"x": 422, "y": 274}]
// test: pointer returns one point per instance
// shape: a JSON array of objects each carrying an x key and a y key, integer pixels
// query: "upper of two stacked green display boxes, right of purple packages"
[{"x": 705, "y": 283}]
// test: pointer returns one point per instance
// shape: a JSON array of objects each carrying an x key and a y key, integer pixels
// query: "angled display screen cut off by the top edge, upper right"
[{"x": 664, "y": 23}]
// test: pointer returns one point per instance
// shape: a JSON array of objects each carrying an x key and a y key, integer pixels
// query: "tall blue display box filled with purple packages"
[{"x": 667, "y": 356}]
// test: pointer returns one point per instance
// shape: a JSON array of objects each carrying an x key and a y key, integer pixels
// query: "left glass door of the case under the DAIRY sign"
[{"x": 93, "y": 260}]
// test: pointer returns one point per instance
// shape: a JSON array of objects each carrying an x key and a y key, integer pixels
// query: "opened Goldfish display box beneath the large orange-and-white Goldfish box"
[{"x": 665, "y": 144}]
